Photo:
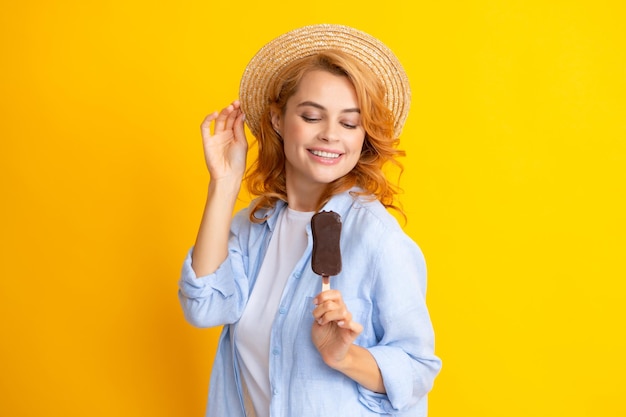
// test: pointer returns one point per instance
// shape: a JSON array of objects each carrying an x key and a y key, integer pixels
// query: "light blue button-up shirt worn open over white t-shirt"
[{"x": 383, "y": 283}]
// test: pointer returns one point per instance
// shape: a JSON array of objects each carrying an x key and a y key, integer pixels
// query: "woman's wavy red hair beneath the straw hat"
[{"x": 266, "y": 176}]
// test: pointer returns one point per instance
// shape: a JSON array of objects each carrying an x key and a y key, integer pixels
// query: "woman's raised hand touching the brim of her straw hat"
[{"x": 225, "y": 149}]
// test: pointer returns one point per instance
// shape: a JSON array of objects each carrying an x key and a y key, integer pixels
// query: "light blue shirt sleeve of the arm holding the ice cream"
[{"x": 405, "y": 352}]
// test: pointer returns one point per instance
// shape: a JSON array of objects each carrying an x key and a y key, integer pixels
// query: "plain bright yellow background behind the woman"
[{"x": 515, "y": 189}]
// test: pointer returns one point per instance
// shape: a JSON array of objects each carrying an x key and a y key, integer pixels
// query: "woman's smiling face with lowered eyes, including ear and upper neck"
[{"x": 321, "y": 130}]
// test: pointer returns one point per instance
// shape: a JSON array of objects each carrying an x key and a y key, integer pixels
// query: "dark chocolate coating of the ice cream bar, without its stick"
[{"x": 326, "y": 258}]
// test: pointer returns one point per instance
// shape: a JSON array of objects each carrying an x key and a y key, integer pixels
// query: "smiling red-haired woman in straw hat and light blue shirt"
[{"x": 326, "y": 104}]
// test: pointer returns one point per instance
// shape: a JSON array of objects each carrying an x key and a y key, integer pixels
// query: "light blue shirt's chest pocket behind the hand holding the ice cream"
[{"x": 308, "y": 362}]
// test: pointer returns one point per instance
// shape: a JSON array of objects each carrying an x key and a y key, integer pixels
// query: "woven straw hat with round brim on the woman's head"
[{"x": 309, "y": 40}]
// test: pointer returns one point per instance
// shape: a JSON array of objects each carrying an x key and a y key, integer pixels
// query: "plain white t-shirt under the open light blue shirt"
[{"x": 286, "y": 246}]
